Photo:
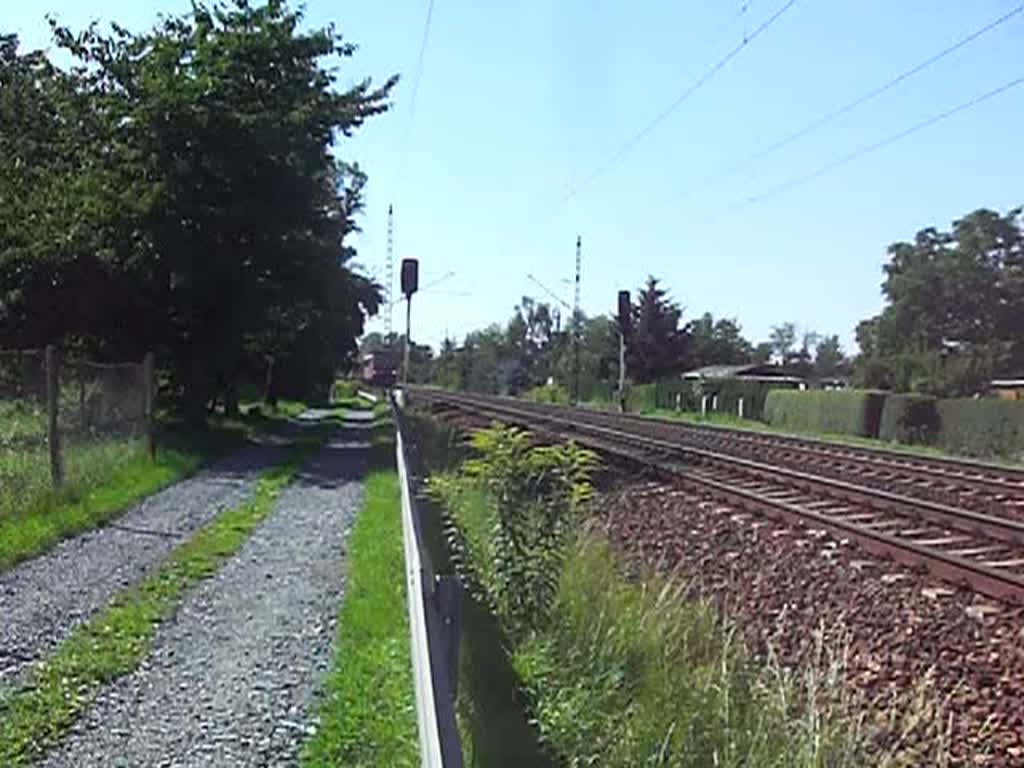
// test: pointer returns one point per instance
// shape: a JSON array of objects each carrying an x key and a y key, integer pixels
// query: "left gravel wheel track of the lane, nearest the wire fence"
[{"x": 42, "y": 600}]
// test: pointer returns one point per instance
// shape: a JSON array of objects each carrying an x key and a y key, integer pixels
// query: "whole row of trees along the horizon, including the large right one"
[{"x": 954, "y": 320}]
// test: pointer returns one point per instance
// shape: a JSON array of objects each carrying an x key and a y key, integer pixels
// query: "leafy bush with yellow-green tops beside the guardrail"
[{"x": 510, "y": 514}]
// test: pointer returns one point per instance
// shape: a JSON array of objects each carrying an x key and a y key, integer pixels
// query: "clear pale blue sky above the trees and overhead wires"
[{"x": 519, "y": 103}]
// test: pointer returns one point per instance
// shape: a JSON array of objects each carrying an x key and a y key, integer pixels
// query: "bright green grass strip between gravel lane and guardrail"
[{"x": 367, "y": 712}]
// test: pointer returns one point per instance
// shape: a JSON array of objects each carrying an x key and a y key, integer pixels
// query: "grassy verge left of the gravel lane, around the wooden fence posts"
[{"x": 103, "y": 479}]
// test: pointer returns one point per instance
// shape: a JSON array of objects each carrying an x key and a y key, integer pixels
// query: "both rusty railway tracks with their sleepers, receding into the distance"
[{"x": 979, "y": 550}]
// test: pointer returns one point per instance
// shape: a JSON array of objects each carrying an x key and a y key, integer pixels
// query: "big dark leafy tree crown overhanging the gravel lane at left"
[{"x": 179, "y": 190}]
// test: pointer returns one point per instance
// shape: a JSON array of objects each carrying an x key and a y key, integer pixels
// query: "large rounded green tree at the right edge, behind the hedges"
[{"x": 955, "y": 312}]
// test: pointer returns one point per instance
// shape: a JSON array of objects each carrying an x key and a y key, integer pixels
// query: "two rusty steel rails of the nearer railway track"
[{"x": 986, "y": 579}]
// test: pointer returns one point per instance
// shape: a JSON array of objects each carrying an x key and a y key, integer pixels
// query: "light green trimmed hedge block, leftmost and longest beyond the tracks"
[{"x": 848, "y": 412}]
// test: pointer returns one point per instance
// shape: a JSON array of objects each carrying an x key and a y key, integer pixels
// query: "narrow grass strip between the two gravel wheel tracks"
[{"x": 115, "y": 643}]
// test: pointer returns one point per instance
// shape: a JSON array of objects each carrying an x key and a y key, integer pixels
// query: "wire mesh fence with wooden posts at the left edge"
[{"x": 66, "y": 422}]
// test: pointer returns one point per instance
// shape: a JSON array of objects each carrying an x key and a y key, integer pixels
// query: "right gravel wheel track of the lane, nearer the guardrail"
[{"x": 231, "y": 677}]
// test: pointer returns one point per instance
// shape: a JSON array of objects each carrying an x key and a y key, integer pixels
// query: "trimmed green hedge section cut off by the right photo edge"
[{"x": 983, "y": 428}]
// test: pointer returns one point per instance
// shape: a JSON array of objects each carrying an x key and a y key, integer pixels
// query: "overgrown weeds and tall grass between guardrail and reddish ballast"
[{"x": 619, "y": 673}]
